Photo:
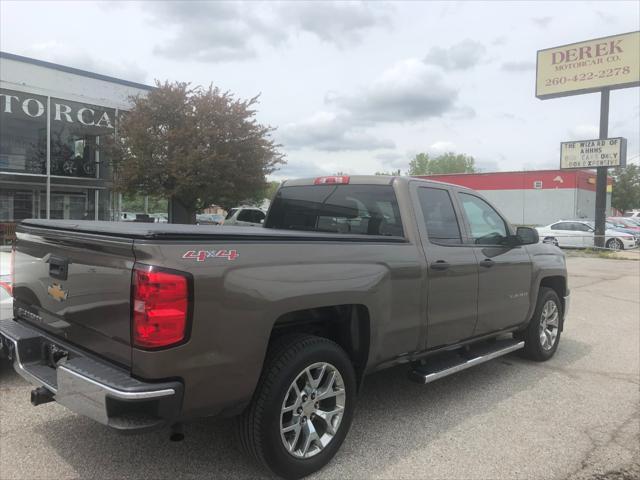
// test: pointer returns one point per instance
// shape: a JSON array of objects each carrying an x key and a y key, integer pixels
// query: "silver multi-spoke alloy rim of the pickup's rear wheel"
[{"x": 312, "y": 410}]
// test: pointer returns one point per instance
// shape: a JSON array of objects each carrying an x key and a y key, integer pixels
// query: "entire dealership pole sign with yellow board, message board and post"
[{"x": 598, "y": 65}]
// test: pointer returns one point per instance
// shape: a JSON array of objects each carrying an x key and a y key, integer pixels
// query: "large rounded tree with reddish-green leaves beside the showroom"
[{"x": 200, "y": 146}]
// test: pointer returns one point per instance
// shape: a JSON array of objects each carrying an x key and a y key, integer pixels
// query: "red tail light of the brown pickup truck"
[{"x": 160, "y": 307}]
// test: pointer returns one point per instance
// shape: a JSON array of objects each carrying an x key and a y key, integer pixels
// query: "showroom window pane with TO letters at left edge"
[{"x": 23, "y": 132}]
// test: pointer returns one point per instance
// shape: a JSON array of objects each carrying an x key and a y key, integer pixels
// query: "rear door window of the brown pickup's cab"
[{"x": 439, "y": 216}]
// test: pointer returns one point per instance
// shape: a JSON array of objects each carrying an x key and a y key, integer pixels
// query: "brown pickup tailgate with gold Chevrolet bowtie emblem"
[{"x": 76, "y": 286}]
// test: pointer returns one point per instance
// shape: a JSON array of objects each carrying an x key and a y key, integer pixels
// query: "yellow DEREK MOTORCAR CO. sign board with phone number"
[{"x": 585, "y": 67}]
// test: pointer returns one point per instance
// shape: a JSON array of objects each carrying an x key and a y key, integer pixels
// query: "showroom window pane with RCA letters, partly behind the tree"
[{"x": 77, "y": 131}]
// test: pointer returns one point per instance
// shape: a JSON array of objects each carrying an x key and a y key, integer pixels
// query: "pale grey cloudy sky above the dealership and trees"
[{"x": 354, "y": 87}]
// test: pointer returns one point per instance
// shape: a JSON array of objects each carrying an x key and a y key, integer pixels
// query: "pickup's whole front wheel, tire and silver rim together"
[{"x": 542, "y": 335}]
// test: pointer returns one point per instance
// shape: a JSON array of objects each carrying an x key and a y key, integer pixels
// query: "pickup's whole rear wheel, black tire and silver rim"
[{"x": 302, "y": 408}]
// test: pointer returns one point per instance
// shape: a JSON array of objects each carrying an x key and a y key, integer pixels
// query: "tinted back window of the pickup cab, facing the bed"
[{"x": 349, "y": 209}]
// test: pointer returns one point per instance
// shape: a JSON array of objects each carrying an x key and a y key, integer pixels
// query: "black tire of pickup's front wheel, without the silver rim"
[{"x": 533, "y": 348}]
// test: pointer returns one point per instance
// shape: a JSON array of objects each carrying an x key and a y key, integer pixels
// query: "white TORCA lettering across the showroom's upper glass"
[{"x": 34, "y": 108}]
